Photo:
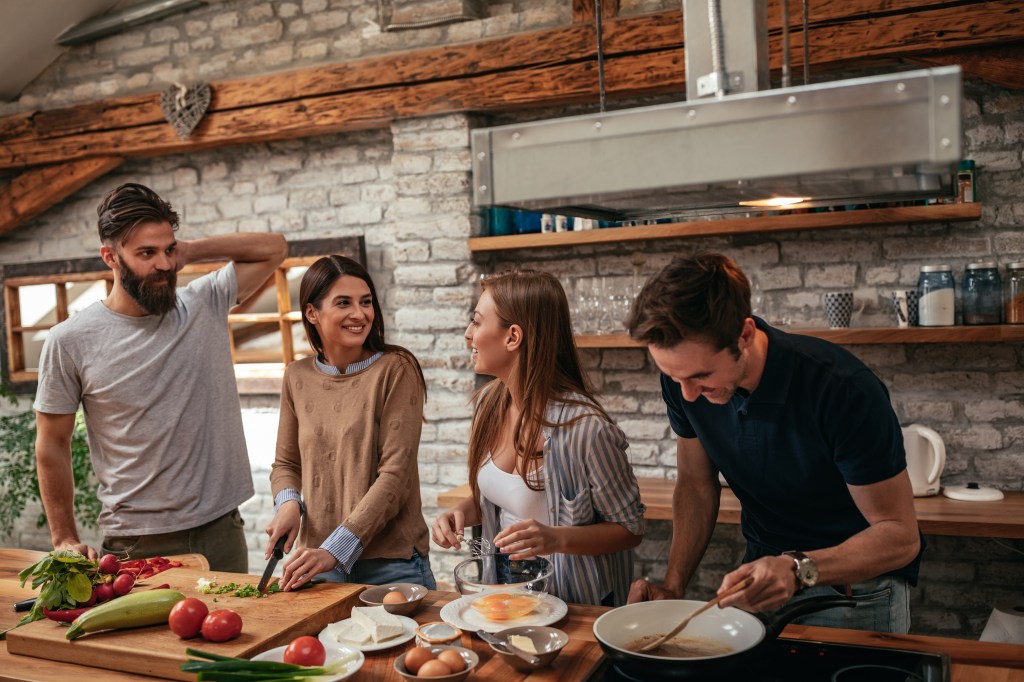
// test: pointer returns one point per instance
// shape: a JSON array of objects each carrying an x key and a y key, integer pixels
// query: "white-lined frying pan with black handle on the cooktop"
[{"x": 744, "y": 633}]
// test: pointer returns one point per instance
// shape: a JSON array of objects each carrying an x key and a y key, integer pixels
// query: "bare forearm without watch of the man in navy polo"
[{"x": 695, "y": 511}]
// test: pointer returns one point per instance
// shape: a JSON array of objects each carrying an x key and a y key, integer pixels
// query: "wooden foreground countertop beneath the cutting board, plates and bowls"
[{"x": 973, "y": 662}]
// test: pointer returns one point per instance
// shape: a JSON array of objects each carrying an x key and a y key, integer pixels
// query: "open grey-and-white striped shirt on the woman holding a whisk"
[{"x": 587, "y": 480}]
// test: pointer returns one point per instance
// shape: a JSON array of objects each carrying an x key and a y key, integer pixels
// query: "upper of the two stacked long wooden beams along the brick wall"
[{"x": 952, "y": 27}]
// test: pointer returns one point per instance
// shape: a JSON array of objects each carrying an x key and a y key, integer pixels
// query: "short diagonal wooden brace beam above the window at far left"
[{"x": 35, "y": 191}]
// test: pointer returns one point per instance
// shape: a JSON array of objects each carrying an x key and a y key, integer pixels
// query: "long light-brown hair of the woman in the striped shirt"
[{"x": 548, "y": 368}]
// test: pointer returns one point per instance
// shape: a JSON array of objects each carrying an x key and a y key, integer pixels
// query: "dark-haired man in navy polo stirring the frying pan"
[{"x": 805, "y": 436}]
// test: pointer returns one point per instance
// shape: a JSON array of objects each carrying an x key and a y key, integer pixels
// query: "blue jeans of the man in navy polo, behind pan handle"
[{"x": 884, "y": 606}]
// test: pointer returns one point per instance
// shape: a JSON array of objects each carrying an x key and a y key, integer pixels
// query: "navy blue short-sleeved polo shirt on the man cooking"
[{"x": 819, "y": 420}]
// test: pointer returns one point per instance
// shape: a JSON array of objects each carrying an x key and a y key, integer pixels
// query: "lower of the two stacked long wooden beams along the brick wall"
[{"x": 561, "y": 82}]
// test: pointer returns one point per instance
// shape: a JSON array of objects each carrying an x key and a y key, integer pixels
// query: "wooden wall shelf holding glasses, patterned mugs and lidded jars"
[{"x": 856, "y": 336}]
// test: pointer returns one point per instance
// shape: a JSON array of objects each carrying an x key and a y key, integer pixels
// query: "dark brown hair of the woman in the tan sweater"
[{"x": 317, "y": 284}]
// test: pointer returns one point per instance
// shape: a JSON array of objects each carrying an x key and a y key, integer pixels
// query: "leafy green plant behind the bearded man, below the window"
[{"x": 19, "y": 484}]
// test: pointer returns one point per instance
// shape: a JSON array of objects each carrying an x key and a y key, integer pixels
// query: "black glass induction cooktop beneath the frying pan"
[{"x": 802, "y": 661}]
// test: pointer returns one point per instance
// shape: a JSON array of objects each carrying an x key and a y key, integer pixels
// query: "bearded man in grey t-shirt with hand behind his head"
[{"x": 151, "y": 365}]
